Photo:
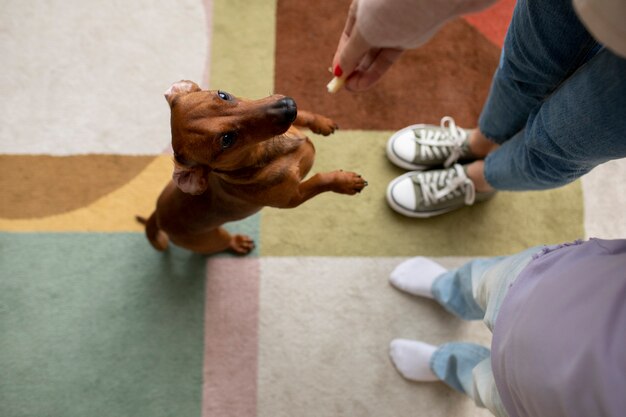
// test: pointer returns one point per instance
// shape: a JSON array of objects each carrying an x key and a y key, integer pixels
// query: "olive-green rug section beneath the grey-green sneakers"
[{"x": 364, "y": 225}]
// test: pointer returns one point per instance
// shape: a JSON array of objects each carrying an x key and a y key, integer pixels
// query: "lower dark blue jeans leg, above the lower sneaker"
[{"x": 580, "y": 126}]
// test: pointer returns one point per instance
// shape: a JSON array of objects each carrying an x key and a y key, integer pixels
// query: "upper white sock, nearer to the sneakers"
[{"x": 416, "y": 276}]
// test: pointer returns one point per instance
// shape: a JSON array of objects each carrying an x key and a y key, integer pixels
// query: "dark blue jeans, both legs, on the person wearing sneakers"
[{"x": 557, "y": 103}]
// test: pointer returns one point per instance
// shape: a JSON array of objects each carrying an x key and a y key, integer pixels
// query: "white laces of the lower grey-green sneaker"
[{"x": 446, "y": 184}]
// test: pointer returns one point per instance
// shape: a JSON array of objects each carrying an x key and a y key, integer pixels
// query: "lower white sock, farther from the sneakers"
[{"x": 412, "y": 359}]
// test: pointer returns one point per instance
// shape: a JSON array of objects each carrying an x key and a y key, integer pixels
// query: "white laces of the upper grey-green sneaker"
[{"x": 446, "y": 142}]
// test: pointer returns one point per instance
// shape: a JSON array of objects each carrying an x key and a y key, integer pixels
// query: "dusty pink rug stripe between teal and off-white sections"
[{"x": 231, "y": 338}]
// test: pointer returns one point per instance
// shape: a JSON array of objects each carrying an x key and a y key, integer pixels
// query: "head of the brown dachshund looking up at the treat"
[{"x": 214, "y": 130}]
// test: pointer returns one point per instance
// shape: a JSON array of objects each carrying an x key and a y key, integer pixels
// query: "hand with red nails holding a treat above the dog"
[{"x": 356, "y": 61}]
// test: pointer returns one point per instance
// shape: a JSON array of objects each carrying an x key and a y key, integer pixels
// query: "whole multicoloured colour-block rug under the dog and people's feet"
[{"x": 95, "y": 322}]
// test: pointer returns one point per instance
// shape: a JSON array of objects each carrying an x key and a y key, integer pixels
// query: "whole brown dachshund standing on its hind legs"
[{"x": 232, "y": 157}]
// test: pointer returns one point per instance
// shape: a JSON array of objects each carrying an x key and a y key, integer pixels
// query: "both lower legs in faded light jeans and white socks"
[{"x": 473, "y": 291}]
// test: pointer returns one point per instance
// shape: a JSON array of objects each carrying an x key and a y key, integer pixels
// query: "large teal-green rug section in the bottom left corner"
[{"x": 99, "y": 325}]
